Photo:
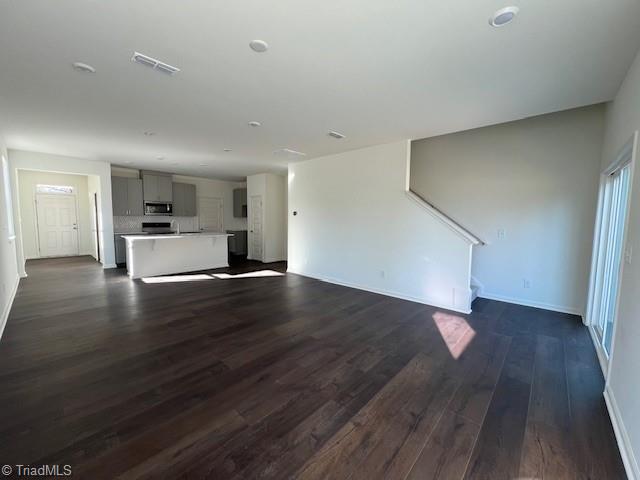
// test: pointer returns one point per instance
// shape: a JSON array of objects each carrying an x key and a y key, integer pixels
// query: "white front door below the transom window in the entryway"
[{"x": 57, "y": 225}]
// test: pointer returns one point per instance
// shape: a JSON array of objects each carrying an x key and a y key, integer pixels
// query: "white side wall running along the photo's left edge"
[{"x": 8, "y": 265}]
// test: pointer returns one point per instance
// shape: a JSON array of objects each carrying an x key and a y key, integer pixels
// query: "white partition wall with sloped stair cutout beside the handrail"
[{"x": 355, "y": 225}]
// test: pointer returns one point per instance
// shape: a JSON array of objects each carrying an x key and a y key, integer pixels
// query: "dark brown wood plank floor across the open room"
[{"x": 288, "y": 377}]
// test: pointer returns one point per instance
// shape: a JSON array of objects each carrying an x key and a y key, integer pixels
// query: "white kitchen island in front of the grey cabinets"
[{"x": 150, "y": 255}]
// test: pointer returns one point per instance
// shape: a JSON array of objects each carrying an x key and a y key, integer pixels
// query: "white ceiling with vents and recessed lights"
[{"x": 375, "y": 70}]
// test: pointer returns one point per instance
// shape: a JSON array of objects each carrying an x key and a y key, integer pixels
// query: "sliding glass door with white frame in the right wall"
[{"x": 609, "y": 250}]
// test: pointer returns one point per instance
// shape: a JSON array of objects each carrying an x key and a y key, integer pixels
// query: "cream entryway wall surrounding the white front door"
[{"x": 27, "y": 181}]
